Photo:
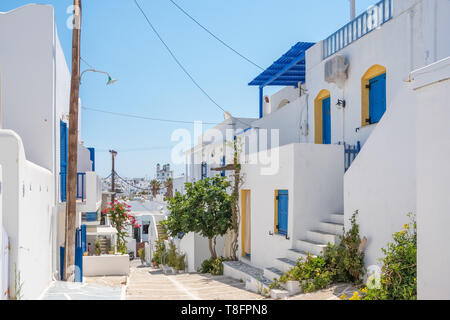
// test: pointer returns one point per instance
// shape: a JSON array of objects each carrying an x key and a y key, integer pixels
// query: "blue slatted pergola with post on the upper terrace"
[{"x": 289, "y": 70}]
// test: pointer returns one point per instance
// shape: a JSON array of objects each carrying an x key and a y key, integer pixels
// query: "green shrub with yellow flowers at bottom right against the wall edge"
[{"x": 399, "y": 272}]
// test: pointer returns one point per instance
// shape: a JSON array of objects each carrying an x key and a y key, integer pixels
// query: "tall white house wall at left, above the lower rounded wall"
[{"x": 32, "y": 61}]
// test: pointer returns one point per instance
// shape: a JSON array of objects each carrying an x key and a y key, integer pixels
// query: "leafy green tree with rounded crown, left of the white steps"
[{"x": 205, "y": 208}]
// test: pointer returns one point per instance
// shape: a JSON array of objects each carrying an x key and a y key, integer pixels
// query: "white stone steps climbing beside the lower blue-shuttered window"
[{"x": 314, "y": 243}]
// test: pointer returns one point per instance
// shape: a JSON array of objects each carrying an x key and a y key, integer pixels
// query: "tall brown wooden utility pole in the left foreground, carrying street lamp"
[{"x": 71, "y": 204}]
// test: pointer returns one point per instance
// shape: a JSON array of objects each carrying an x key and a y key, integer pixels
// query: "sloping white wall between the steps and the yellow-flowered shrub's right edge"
[{"x": 381, "y": 183}]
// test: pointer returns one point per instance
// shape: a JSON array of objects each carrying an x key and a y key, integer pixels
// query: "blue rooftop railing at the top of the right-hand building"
[{"x": 374, "y": 17}]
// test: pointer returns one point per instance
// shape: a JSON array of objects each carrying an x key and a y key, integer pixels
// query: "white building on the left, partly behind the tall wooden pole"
[{"x": 34, "y": 104}]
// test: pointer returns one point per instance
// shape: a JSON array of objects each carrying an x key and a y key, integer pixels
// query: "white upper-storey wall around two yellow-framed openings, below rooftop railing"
[{"x": 415, "y": 37}]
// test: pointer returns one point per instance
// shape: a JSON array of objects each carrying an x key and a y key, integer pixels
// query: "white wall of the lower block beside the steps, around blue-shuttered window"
[{"x": 313, "y": 176}]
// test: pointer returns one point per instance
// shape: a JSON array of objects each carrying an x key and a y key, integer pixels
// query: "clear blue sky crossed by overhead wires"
[{"x": 117, "y": 39}]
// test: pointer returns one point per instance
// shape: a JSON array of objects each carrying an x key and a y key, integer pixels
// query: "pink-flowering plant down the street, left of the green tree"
[{"x": 119, "y": 214}]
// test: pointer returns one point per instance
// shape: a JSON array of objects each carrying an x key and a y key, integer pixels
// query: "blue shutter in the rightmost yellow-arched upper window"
[{"x": 377, "y": 98}]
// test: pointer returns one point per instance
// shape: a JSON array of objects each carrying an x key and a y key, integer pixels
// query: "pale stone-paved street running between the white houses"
[{"x": 145, "y": 283}]
